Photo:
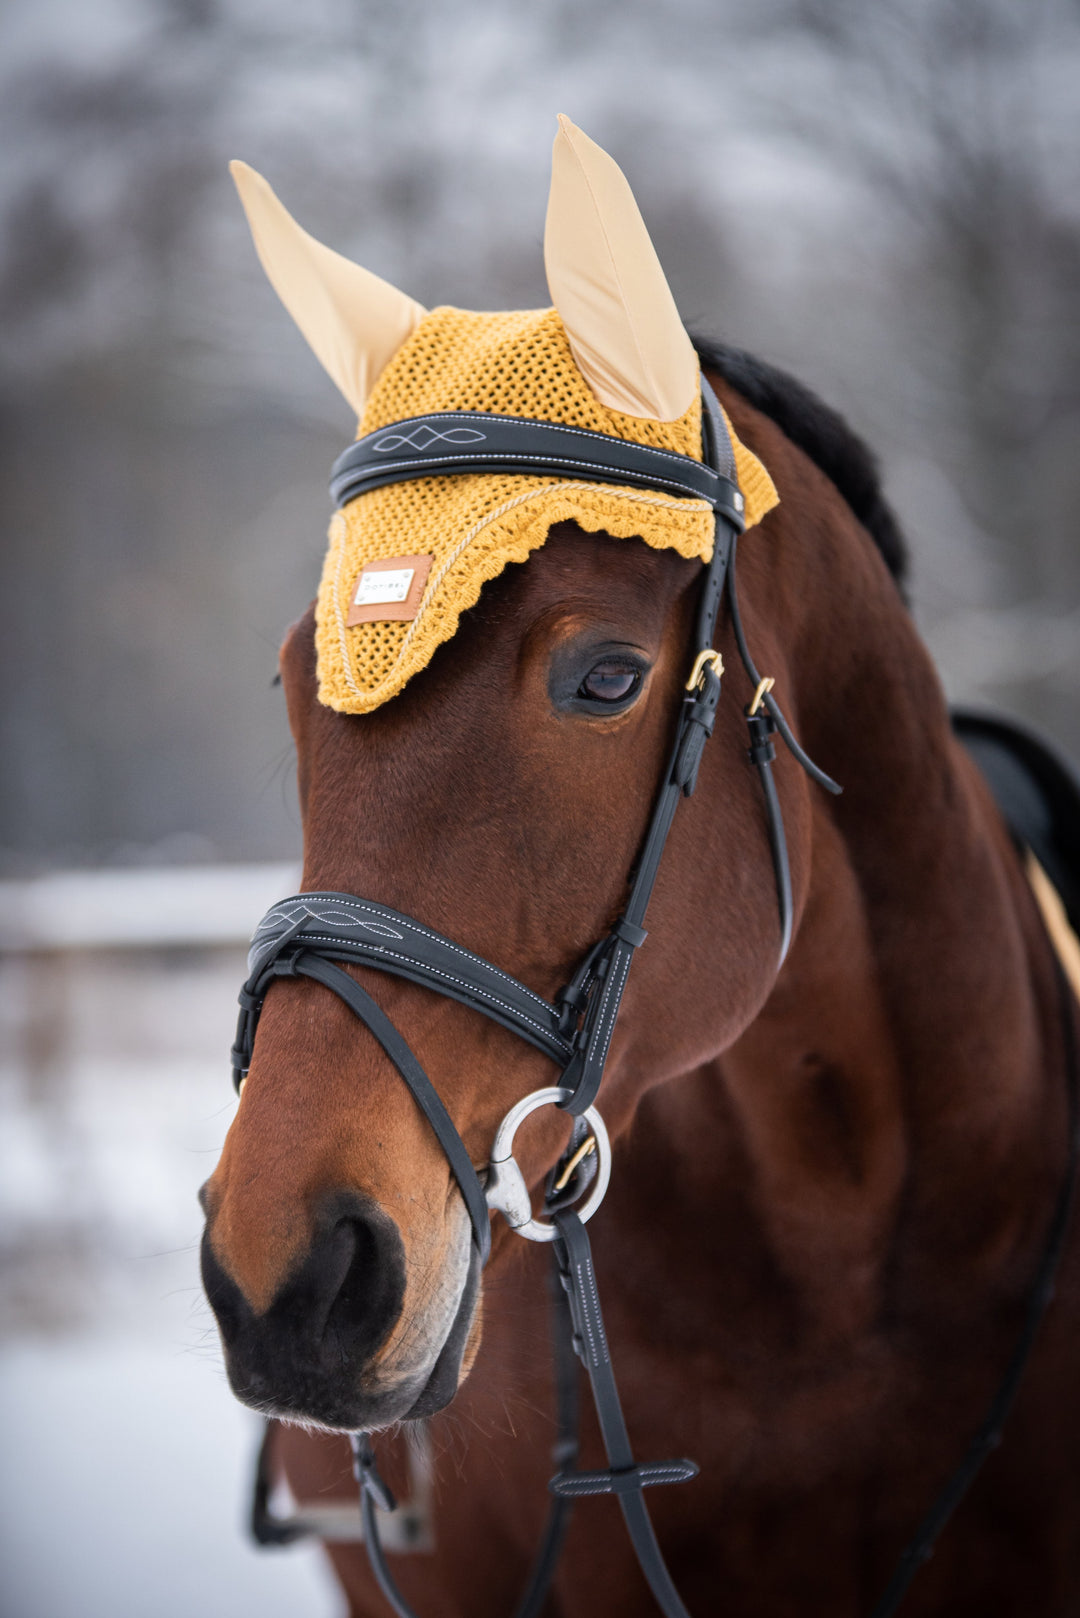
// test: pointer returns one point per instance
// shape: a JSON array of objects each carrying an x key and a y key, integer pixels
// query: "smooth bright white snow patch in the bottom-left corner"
[{"x": 124, "y": 1488}]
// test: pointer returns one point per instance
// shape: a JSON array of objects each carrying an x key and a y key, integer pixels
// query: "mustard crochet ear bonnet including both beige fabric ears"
[{"x": 611, "y": 357}]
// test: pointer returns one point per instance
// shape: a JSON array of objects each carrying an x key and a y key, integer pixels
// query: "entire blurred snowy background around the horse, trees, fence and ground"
[{"x": 883, "y": 200}]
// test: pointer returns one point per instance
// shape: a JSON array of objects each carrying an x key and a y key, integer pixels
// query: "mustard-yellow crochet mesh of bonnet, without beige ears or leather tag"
[{"x": 511, "y": 365}]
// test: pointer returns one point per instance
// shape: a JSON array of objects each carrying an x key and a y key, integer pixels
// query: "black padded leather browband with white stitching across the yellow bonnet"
[{"x": 451, "y": 443}]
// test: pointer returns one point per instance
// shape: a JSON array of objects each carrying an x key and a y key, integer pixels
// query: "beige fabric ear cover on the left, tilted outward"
[{"x": 354, "y": 321}]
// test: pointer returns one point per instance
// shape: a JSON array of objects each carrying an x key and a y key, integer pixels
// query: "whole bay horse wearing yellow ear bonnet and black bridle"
[{"x": 843, "y": 1175}]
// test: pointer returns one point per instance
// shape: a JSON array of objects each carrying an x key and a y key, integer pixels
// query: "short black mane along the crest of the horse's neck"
[{"x": 822, "y": 434}]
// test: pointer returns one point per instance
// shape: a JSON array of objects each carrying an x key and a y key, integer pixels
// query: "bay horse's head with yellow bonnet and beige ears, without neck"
[{"x": 483, "y": 703}]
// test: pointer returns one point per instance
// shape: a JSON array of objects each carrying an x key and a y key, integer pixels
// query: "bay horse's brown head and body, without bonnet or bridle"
[{"x": 835, "y": 1179}]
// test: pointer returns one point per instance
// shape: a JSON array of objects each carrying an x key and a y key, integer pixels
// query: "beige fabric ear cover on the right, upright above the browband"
[{"x": 610, "y": 289}]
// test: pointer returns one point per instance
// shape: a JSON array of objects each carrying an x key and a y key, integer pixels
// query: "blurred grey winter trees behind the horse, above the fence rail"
[{"x": 882, "y": 198}]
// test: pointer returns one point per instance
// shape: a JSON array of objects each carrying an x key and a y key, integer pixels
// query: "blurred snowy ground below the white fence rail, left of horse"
[{"x": 125, "y": 1462}]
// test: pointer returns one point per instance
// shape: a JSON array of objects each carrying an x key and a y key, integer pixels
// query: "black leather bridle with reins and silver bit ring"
[{"x": 308, "y": 934}]
